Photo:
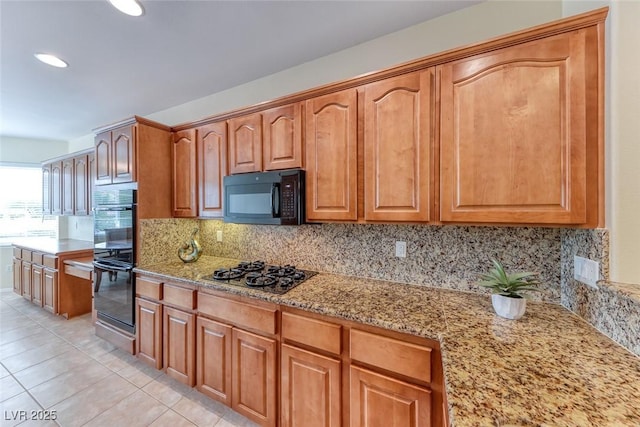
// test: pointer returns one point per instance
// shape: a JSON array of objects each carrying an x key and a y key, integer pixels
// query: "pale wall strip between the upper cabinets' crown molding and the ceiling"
[{"x": 470, "y": 25}]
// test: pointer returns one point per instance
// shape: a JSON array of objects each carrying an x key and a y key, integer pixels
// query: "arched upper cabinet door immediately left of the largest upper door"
[{"x": 397, "y": 144}]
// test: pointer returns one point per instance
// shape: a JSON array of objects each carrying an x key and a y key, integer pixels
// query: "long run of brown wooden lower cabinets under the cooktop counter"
[{"x": 285, "y": 367}]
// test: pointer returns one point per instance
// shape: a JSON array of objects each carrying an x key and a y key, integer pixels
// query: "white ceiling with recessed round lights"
[{"x": 176, "y": 52}]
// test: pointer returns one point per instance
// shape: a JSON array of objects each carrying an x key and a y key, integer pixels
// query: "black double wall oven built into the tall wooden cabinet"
[{"x": 114, "y": 254}]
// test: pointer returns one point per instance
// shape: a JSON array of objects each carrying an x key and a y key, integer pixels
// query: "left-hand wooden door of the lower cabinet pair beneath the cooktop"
[{"x": 213, "y": 359}]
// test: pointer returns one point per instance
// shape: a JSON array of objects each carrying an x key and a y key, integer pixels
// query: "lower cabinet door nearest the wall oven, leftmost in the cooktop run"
[{"x": 149, "y": 332}]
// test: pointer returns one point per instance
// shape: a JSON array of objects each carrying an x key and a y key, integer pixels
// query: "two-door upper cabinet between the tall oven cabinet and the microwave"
[{"x": 199, "y": 164}]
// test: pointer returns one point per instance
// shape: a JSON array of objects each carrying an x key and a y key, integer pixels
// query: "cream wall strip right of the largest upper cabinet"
[{"x": 622, "y": 134}]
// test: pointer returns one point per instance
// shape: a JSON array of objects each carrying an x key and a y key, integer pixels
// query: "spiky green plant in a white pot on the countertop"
[{"x": 507, "y": 290}]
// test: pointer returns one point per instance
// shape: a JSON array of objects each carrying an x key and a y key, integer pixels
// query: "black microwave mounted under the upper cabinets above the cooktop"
[{"x": 275, "y": 197}]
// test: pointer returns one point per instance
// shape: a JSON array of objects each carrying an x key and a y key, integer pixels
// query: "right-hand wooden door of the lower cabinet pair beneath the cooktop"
[{"x": 254, "y": 377}]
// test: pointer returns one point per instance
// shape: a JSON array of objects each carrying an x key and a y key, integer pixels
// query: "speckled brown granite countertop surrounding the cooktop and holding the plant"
[{"x": 548, "y": 368}]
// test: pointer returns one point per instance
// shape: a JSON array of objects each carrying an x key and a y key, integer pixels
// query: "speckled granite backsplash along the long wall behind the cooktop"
[{"x": 438, "y": 256}]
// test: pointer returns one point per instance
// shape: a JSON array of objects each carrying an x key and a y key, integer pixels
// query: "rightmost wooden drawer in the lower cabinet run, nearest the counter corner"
[{"x": 391, "y": 354}]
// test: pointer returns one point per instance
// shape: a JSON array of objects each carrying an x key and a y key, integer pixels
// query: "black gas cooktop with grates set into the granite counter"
[{"x": 276, "y": 279}]
